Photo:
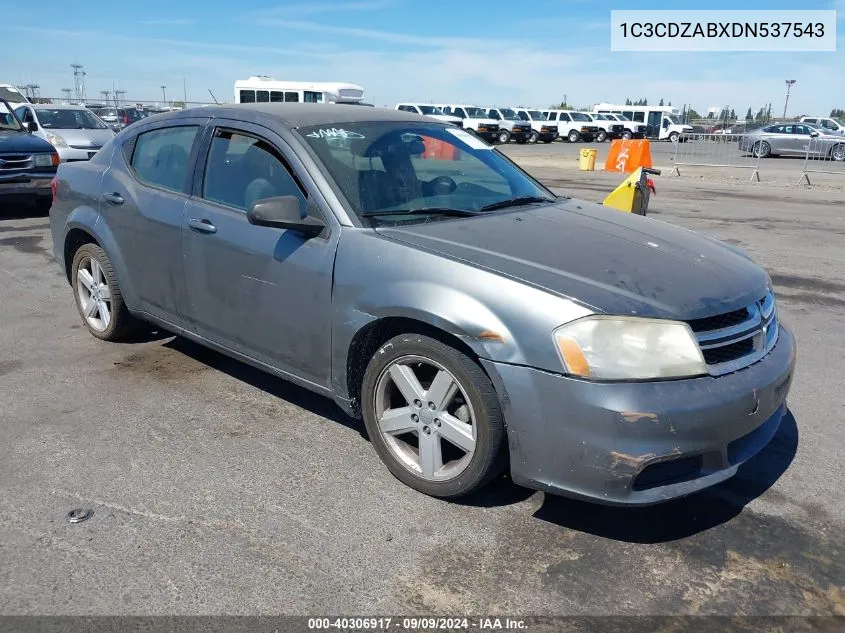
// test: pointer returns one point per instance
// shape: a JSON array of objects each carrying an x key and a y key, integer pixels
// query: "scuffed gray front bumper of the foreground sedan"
[{"x": 640, "y": 443}]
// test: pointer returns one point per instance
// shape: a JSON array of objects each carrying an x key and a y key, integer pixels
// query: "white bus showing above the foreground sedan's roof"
[{"x": 263, "y": 89}]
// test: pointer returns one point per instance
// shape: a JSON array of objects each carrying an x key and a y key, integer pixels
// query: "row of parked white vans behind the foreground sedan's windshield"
[{"x": 527, "y": 125}]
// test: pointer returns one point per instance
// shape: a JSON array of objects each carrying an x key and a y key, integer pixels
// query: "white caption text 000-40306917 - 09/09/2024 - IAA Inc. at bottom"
[{"x": 416, "y": 624}]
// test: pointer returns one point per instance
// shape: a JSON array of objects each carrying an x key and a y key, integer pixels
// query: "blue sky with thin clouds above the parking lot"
[{"x": 502, "y": 52}]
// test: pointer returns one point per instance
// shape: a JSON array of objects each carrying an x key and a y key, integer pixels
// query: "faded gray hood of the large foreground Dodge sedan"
[{"x": 612, "y": 261}]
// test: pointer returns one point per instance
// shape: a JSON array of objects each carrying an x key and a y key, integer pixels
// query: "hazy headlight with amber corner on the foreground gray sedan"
[{"x": 629, "y": 348}]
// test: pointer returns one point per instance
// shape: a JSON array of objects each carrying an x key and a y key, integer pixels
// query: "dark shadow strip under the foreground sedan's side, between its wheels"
[{"x": 273, "y": 385}]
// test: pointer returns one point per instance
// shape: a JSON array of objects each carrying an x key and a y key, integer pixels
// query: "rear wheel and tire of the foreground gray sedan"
[{"x": 98, "y": 296}]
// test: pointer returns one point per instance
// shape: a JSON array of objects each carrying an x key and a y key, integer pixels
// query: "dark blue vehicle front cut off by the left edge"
[{"x": 27, "y": 163}]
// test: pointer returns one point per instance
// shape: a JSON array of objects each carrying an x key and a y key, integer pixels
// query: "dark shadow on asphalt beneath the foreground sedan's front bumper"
[{"x": 683, "y": 517}]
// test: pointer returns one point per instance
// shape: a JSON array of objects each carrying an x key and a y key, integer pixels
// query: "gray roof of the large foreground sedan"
[{"x": 294, "y": 115}]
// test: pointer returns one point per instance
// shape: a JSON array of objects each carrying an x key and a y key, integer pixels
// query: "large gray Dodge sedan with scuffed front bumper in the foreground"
[{"x": 411, "y": 272}]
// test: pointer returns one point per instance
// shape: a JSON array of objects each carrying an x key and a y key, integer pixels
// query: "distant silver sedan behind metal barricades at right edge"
[{"x": 793, "y": 139}]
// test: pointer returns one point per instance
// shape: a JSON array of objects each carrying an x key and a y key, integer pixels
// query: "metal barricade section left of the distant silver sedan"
[{"x": 714, "y": 150}]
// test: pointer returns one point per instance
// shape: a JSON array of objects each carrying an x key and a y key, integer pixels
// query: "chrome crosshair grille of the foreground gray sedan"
[{"x": 736, "y": 339}]
